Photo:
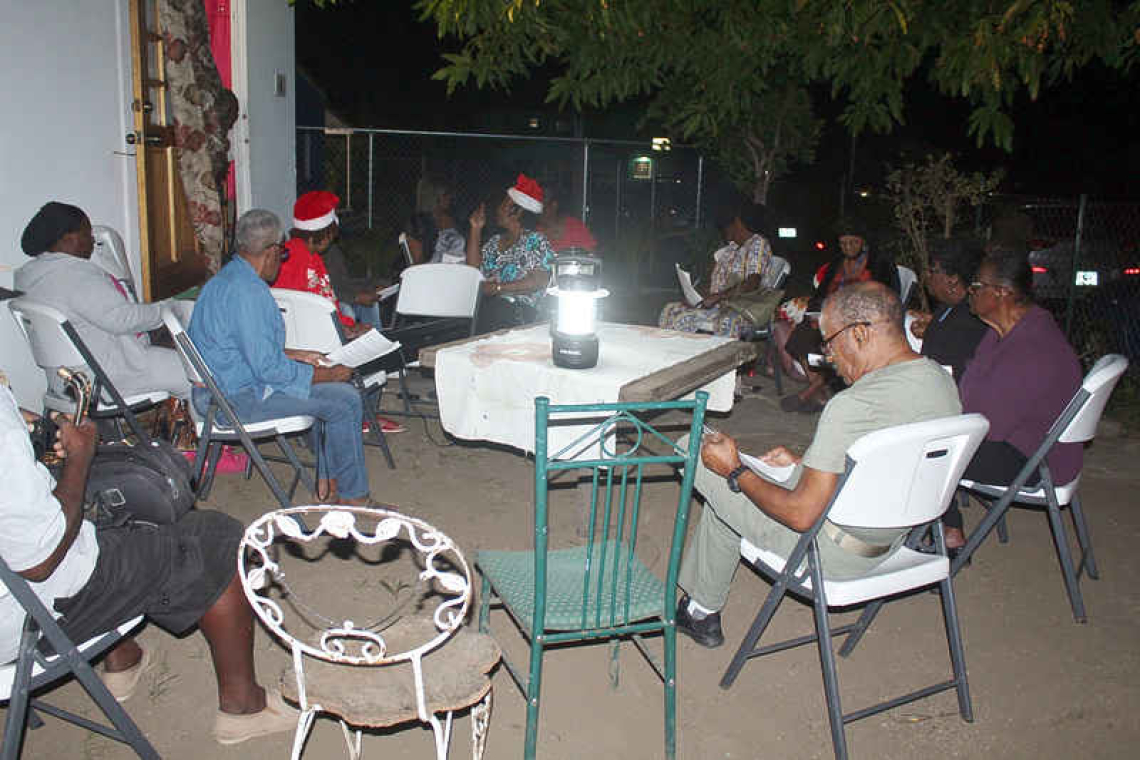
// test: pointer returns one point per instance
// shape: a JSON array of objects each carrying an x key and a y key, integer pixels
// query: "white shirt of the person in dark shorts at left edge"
[{"x": 32, "y": 524}]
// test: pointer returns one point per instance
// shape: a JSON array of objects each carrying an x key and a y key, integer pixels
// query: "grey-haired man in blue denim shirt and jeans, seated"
[{"x": 240, "y": 332}]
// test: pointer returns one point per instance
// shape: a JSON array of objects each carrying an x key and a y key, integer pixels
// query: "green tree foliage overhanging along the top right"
[{"x": 723, "y": 55}]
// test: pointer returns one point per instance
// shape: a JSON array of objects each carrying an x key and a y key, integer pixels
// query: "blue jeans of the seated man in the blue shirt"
[{"x": 339, "y": 413}]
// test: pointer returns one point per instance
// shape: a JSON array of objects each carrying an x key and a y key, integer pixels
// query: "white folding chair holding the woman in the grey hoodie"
[{"x": 56, "y": 344}]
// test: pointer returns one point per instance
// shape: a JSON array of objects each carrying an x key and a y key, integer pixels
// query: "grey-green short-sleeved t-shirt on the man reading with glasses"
[{"x": 898, "y": 395}]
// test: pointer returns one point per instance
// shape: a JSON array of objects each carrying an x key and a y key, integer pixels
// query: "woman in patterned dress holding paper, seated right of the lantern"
[{"x": 739, "y": 267}]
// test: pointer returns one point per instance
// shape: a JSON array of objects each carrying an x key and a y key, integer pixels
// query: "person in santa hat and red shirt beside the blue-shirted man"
[{"x": 315, "y": 228}]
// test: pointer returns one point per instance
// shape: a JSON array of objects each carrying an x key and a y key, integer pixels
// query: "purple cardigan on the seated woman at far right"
[{"x": 1021, "y": 383}]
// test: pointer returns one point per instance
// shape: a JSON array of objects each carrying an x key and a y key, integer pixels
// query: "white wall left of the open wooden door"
[{"x": 66, "y": 89}]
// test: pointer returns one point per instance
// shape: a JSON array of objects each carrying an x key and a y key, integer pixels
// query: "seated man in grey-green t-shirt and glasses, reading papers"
[{"x": 862, "y": 330}]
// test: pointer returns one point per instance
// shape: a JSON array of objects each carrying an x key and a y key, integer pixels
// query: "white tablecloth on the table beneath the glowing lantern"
[{"x": 487, "y": 389}]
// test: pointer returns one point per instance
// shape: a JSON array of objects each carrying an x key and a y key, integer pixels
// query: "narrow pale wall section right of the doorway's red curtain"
[{"x": 265, "y": 142}]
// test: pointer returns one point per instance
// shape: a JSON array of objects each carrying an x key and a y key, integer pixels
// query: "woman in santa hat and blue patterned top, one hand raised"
[{"x": 516, "y": 261}]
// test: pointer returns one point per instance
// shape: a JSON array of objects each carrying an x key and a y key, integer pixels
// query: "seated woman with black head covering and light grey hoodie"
[{"x": 112, "y": 325}]
